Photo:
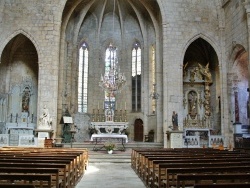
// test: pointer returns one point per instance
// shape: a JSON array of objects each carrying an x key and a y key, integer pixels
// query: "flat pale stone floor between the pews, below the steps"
[{"x": 110, "y": 175}]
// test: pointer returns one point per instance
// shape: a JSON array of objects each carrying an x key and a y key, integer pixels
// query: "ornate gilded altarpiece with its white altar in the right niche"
[{"x": 197, "y": 124}]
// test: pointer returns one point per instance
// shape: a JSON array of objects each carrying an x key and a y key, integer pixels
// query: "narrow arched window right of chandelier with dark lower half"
[{"x": 136, "y": 77}]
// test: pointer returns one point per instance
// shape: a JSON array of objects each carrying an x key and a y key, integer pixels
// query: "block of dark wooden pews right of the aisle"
[{"x": 195, "y": 167}]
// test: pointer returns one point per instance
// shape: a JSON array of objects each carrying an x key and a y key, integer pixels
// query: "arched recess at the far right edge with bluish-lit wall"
[{"x": 239, "y": 85}]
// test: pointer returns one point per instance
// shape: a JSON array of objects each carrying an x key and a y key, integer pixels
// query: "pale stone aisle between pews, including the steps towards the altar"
[{"x": 110, "y": 171}]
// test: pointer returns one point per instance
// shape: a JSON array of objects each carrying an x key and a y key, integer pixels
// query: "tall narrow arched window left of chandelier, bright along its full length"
[{"x": 83, "y": 78}]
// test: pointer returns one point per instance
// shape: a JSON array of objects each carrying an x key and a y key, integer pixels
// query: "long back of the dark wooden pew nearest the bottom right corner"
[{"x": 213, "y": 178}]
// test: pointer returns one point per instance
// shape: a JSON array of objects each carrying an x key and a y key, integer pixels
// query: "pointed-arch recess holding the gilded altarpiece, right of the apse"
[{"x": 201, "y": 76}]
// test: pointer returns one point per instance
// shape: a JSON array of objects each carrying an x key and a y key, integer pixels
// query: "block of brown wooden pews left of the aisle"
[{"x": 42, "y": 167}]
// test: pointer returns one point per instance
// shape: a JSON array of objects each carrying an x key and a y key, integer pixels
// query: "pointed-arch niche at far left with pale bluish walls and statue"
[{"x": 19, "y": 78}]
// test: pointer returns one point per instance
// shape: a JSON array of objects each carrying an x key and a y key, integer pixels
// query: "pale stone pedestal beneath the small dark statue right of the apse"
[{"x": 175, "y": 139}]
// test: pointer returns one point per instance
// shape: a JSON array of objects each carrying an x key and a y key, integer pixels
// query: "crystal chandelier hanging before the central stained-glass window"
[{"x": 113, "y": 80}]
